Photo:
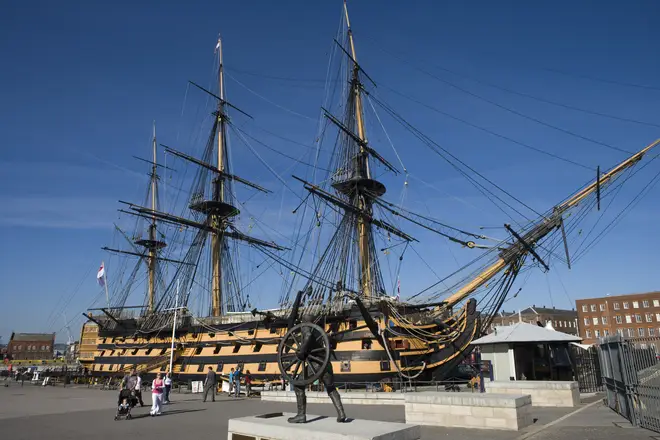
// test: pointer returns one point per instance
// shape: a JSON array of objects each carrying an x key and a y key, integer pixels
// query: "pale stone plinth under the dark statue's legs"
[{"x": 275, "y": 427}]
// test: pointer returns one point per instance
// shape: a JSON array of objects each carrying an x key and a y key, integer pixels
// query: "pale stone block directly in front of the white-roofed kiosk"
[{"x": 544, "y": 393}]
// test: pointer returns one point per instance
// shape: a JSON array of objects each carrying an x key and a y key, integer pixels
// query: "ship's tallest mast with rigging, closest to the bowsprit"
[{"x": 350, "y": 258}]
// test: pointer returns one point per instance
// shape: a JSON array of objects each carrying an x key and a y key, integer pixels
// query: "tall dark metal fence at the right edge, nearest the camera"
[{"x": 631, "y": 374}]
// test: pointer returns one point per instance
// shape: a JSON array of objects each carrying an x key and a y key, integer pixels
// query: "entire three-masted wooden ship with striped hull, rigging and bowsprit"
[{"x": 426, "y": 335}]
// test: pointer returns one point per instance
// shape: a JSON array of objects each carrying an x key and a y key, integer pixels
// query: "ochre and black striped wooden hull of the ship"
[{"x": 357, "y": 358}]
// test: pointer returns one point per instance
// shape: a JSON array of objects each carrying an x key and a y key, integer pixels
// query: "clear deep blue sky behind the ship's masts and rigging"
[{"x": 81, "y": 83}]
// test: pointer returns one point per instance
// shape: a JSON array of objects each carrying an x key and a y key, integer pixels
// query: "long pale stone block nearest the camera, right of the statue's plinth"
[{"x": 480, "y": 411}]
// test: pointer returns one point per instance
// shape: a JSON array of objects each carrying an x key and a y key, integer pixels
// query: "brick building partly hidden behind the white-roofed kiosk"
[{"x": 562, "y": 320}]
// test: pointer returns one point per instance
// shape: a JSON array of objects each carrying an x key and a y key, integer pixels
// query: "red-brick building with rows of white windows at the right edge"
[{"x": 632, "y": 316}]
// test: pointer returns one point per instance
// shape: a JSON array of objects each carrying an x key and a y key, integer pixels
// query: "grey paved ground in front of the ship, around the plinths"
[{"x": 33, "y": 412}]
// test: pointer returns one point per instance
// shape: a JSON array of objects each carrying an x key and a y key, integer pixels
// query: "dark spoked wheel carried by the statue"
[{"x": 303, "y": 368}]
